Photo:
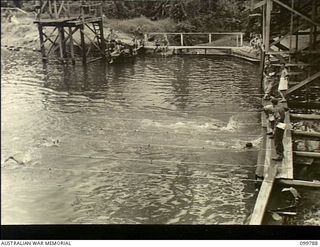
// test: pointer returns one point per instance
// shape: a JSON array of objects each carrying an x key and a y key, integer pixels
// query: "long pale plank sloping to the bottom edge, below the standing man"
[{"x": 263, "y": 196}]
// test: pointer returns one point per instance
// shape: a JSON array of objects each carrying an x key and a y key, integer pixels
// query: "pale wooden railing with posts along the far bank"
[{"x": 238, "y": 36}]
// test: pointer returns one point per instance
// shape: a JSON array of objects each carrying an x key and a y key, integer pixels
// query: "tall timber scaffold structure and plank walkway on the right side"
[{"x": 304, "y": 70}]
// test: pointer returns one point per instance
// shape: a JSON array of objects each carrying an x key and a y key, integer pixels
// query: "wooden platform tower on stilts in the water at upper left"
[{"x": 66, "y": 25}]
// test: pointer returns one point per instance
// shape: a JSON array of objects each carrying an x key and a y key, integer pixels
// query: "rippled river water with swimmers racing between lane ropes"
[{"x": 158, "y": 141}]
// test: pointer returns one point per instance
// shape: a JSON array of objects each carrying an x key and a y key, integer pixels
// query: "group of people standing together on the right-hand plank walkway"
[{"x": 275, "y": 112}]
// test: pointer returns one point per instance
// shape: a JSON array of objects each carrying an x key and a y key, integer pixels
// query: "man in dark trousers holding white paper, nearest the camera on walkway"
[{"x": 279, "y": 114}]
